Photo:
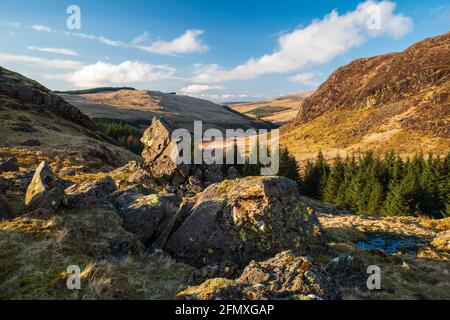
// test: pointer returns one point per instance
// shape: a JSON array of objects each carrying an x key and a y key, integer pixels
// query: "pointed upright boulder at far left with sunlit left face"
[{"x": 46, "y": 191}]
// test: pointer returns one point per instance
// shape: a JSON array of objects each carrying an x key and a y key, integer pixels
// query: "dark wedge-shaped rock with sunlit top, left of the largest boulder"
[{"x": 143, "y": 215}]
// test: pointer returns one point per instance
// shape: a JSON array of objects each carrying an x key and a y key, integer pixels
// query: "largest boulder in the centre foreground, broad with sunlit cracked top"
[{"x": 244, "y": 219}]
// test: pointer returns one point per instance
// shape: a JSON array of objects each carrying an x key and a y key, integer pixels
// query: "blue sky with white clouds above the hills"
[{"x": 217, "y": 50}]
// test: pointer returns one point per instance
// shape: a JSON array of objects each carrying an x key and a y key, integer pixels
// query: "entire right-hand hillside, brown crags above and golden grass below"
[{"x": 394, "y": 101}]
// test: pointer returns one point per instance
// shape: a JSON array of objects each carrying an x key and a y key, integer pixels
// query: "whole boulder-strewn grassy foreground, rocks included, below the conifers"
[{"x": 106, "y": 225}]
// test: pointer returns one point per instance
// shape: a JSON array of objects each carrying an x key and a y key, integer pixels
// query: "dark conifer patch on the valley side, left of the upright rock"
[{"x": 123, "y": 133}]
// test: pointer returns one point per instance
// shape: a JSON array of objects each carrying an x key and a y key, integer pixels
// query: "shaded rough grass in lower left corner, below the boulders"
[{"x": 35, "y": 254}]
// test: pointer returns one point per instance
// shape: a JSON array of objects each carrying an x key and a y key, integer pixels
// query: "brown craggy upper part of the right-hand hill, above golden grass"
[{"x": 416, "y": 79}]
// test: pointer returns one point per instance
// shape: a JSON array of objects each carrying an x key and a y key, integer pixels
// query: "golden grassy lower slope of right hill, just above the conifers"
[{"x": 355, "y": 131}]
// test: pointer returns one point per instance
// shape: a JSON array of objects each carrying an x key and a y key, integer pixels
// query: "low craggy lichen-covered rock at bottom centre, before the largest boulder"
[{"x": 284, "y": 276}]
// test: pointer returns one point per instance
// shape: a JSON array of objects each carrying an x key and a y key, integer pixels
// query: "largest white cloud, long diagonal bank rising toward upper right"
[{"x": 318, "y": 43}]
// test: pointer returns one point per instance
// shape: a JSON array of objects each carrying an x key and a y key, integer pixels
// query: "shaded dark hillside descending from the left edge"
[{"x": 37, "y": 124}]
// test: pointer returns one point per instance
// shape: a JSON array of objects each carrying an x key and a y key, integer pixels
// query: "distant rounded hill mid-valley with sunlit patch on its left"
[{"x": 140, "y": 106}]
